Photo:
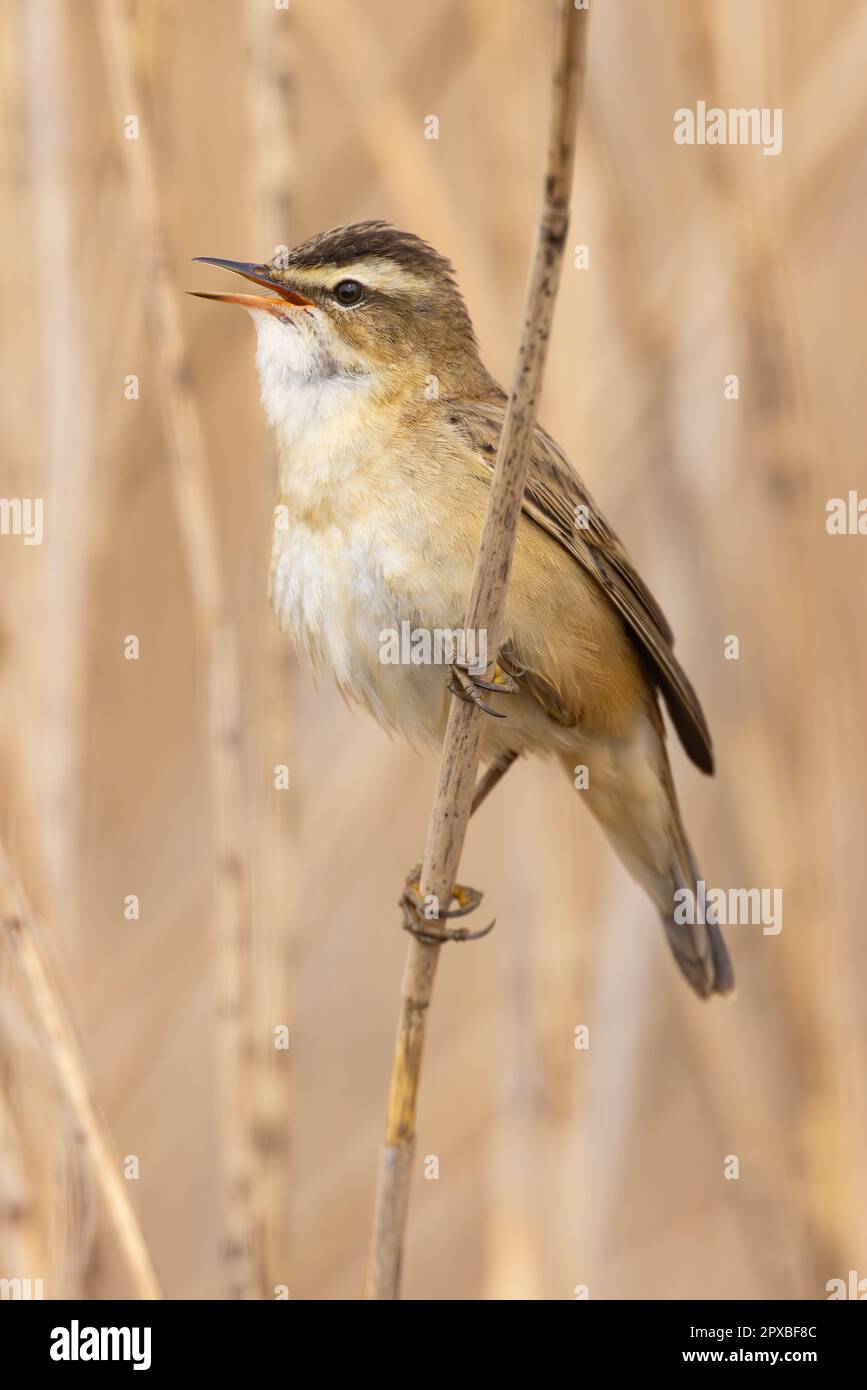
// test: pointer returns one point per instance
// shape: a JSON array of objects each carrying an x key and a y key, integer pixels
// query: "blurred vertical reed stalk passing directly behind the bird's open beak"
[{"x": 270, "y": 92}]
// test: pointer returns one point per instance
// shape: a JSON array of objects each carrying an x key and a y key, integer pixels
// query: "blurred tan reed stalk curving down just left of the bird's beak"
[{"x": 198, "y": 522}]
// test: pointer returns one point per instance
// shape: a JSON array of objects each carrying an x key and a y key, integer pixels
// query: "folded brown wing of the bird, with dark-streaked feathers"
[{"x": 556, "y": 500}]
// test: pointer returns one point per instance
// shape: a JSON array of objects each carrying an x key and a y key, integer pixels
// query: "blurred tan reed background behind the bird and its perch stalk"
[{"x": 265, "y": 908}]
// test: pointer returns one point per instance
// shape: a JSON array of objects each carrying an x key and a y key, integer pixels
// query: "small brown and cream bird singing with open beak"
[{"x": 387, "y": 425}]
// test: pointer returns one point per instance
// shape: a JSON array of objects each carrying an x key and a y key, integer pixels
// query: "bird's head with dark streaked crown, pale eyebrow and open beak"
[{"x": 361, "y": 302}]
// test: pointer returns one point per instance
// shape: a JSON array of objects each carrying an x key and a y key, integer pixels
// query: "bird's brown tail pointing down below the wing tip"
[{"x": 636, "y": 804}]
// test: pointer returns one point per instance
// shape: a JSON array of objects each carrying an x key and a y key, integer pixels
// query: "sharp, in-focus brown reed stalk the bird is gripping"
[{"x": 462, "y": 744}]
